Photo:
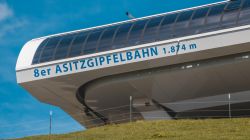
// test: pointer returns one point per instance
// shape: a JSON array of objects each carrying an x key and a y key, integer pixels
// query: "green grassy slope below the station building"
[{"x": 209, "y": 129}]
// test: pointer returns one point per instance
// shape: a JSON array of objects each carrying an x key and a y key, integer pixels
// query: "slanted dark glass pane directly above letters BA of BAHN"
[{"x": 136, "y": 33}]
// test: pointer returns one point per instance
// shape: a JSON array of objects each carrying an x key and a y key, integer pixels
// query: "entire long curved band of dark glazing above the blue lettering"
[{"x": 215, "y": 17}]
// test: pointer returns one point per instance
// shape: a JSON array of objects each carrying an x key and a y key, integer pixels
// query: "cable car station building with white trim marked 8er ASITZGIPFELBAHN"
[{"x": 178, "y": 64}]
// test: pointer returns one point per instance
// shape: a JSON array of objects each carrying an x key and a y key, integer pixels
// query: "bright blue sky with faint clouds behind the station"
[{"x": 20, "y": 113}]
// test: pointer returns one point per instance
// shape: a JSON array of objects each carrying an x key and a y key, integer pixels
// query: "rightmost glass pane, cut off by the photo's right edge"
[{"x": 245, "y": 13}]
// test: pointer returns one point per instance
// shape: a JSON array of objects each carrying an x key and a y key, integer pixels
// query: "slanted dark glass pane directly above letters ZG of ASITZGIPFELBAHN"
[{"x": 91, "y": 43}]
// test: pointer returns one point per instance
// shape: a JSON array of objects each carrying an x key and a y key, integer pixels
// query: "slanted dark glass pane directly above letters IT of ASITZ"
[{"x": 76, "y": 47}]
